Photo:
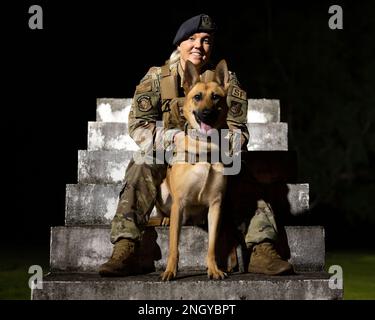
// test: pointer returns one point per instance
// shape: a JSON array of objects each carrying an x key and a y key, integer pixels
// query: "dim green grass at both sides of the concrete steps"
[{"x": 358, "y": 270}]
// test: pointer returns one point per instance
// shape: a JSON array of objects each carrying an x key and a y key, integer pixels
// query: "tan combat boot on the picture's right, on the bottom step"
[{"x": 264, "y": 259}]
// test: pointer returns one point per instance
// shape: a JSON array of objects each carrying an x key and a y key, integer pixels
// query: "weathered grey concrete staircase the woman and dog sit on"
[{"x": 79, "y": 247}]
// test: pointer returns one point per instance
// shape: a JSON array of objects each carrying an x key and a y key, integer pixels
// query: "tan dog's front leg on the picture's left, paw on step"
[{"x": 174, "y": 235}]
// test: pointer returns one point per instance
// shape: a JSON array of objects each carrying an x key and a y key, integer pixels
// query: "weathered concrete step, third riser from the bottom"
[{"x": 96, "y": 203}]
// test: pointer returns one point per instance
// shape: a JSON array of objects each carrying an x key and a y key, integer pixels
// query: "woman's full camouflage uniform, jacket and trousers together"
[{"x": 160, "y": 96}]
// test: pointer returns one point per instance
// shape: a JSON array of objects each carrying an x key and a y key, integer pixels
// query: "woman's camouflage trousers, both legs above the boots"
[{"x": 138, "y": 197}]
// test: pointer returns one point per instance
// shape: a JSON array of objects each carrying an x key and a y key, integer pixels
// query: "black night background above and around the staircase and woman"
[{"x": 325, "y": 80}]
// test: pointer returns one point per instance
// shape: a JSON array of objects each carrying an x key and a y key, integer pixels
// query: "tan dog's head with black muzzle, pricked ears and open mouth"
[{"x": 205, "y": 105}]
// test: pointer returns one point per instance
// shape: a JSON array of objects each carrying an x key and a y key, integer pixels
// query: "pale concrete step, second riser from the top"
[{"x": 114, "y": 136}]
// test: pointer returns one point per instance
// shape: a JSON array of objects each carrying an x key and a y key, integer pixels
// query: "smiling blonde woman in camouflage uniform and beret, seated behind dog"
[{"x": 159, "y": 96}]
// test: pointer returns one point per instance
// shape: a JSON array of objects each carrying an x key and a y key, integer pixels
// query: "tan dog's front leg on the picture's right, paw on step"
[{"x": 213, "y": 223}]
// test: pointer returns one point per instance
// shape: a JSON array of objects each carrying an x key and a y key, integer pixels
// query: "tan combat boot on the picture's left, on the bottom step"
[{"x": 124, "y": 260}]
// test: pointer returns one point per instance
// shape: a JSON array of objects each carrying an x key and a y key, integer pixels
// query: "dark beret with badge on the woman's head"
[{"x": 199, "y": 23}]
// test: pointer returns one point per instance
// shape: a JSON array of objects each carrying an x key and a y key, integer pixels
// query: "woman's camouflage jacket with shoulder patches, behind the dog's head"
[{"x": 151, "y": 104}]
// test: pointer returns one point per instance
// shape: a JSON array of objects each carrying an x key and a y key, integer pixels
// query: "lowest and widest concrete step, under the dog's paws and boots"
[{"x": 188, "y": 286}]
